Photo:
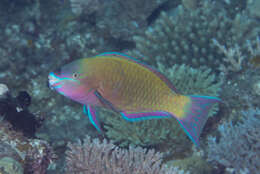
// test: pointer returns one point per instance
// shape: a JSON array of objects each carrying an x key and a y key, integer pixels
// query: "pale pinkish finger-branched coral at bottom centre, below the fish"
[{"x": 105, "y": 158}]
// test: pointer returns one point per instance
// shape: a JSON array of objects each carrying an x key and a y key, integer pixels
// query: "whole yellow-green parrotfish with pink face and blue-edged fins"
[{"x": 131, "y": 88}]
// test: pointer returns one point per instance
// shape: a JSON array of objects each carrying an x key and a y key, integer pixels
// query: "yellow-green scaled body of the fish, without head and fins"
[{"x": 133, "y": 88}]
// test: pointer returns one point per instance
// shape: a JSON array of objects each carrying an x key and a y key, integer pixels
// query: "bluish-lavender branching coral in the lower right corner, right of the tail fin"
[{"x": 238, "y": 147}]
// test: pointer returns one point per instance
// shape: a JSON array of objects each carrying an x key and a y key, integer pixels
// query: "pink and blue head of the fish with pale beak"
[{"x": 70, "y": 81}]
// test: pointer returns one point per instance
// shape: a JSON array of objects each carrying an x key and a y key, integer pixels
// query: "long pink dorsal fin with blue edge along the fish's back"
[{"x": 159, "y": 74}]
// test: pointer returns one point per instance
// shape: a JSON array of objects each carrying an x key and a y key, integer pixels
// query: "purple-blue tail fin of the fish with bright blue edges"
[{"x": 196, "y": 116}]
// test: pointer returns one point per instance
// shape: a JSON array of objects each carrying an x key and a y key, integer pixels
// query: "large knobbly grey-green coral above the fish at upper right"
[{"x": 185, "y": 36}]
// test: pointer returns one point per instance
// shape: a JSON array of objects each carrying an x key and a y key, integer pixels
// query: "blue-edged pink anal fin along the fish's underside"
[{"x": 133, "y": 116}]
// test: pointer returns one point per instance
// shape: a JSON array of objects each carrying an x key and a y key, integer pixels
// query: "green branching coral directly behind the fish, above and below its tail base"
[{"x": 163, "y": 133}]
